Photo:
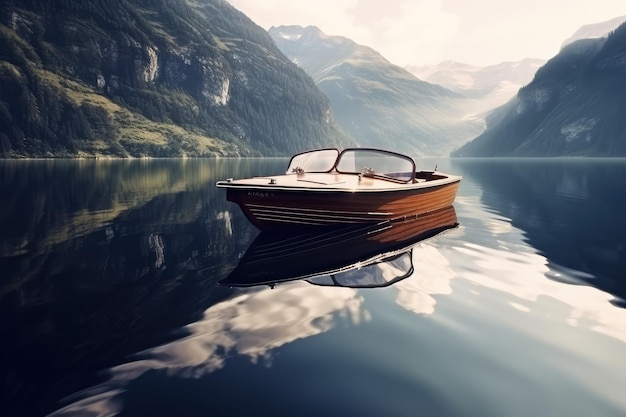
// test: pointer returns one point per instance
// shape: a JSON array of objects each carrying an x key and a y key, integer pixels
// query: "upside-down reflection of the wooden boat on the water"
[{"x": 359, "y": 256}]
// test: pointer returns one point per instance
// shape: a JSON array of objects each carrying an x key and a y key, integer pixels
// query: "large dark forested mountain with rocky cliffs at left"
[{"x": 150, "y": 78}]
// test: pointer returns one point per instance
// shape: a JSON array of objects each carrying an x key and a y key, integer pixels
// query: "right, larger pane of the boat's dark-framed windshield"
[{"x": 377, "y": 163}]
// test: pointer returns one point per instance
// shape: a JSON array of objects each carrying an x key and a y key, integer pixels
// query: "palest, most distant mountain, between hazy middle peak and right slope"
[{"x": 486, "y": 87}]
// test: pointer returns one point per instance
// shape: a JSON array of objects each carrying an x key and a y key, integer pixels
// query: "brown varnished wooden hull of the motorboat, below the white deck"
[{"x": 270, "y": 209}]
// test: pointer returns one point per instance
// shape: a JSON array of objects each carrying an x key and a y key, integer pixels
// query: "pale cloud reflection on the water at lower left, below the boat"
[{"x": 252, "y": 323}]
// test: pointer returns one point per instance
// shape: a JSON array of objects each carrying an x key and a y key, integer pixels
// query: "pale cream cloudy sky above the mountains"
[{"x": 427, "y": 32}]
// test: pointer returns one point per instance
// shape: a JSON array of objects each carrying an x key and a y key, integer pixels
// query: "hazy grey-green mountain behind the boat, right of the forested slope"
[{"x": 376, "y": 102}]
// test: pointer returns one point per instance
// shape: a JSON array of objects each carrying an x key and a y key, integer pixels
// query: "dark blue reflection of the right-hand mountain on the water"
[{"x": 570, "y": 209}]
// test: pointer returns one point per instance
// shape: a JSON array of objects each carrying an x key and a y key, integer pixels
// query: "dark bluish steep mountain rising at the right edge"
[{"x": 575, "y": 106}]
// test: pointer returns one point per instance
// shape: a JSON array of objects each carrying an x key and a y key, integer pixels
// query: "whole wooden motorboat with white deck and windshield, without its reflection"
[{"x": 326, "y": 187}]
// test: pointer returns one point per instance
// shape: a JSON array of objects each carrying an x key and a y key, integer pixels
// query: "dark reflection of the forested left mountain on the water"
[{"x": 102, "y": 259}]
